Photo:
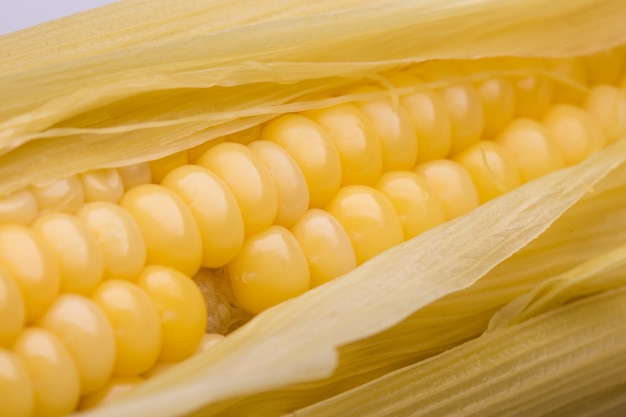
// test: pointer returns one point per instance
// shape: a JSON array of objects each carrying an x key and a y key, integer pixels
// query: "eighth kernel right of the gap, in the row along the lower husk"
[{"x": 576, "y": 132}]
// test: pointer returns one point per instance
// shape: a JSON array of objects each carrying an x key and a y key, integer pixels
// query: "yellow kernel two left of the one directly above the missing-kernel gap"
[{"x": 118, "y": 236}]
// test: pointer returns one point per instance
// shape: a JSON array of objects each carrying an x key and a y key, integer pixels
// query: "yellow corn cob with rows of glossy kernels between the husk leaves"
[{"x": 378, "y": 148}]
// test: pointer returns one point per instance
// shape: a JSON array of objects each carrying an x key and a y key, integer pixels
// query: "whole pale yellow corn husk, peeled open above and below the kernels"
[{"x": 140, "y": 79}]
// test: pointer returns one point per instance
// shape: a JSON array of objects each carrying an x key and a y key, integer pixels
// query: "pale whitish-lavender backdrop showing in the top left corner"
[{"x": 20, "y": 14}]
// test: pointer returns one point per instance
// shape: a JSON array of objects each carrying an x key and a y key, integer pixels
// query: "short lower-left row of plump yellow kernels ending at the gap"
[{"x": 79, "y": 343}]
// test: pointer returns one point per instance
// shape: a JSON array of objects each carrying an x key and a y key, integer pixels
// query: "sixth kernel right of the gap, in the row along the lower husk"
[{"x": 492, "y": 169}]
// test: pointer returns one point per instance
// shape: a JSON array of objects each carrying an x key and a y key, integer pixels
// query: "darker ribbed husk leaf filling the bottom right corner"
[{"x": 566, "y": 362}]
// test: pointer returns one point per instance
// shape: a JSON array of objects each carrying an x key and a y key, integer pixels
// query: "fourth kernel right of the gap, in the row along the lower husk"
[{"x": 414, "y": 201}]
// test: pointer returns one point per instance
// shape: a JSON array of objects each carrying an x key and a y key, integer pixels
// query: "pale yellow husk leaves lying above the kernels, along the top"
[{"x": 220, "y": 62}]
